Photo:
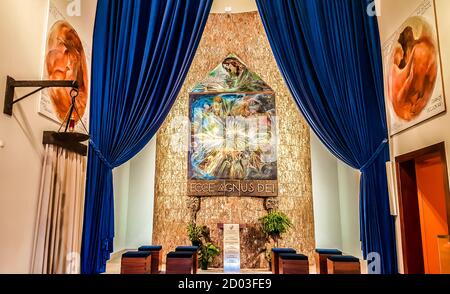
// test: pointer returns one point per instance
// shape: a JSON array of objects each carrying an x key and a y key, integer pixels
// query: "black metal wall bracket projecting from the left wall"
[{"x": 12, "y": 84}]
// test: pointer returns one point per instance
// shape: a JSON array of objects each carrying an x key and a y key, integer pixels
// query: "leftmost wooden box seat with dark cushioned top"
[{"x": 135, "y": 262}]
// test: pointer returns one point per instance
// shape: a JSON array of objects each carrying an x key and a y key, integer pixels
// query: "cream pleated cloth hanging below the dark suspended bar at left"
[{"x": 58, "y": 231}]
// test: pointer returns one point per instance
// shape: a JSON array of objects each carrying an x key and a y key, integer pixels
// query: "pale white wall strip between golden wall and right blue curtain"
[{"x": 336, "y": 201}]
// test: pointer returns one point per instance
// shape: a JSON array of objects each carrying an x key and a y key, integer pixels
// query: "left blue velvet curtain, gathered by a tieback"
[{"x": 142, "y": 51}]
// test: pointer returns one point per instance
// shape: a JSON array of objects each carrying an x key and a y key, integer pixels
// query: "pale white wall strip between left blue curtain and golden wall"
[{"x": 134, "y": 186}]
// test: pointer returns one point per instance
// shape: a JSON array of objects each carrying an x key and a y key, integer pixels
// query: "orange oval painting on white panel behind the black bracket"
[{"x": 67, "y": 57}]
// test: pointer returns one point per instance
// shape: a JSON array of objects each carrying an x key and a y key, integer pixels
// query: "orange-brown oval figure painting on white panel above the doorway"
[{"x": 413, "y": 72}]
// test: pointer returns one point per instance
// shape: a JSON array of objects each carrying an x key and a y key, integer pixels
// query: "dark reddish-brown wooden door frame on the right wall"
[{"x": 413, "y": 156}]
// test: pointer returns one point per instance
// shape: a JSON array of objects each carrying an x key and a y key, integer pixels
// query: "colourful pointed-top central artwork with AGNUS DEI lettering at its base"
[{"x": 233, "y": 138}]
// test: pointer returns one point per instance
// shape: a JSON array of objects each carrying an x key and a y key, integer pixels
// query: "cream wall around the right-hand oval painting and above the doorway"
[{"x": 436, "y": 130}]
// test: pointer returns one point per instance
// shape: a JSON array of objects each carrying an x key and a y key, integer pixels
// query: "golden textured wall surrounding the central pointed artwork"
[{"x": 244, "y": 35}]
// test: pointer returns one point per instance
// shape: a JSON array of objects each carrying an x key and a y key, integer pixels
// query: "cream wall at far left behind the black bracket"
[{"x": 22, "y": 33}]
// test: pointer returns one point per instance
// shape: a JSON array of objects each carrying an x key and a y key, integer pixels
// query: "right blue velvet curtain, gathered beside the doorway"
[{"x": 329, "y": 54}]
